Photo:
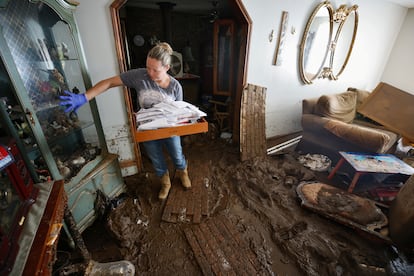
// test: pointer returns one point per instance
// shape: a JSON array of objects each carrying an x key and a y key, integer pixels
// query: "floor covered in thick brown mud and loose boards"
[{"x": 253, "y": 223}]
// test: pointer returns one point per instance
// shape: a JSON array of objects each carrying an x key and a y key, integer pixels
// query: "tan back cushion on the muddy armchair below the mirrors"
[{"x": 341, "y": 106}]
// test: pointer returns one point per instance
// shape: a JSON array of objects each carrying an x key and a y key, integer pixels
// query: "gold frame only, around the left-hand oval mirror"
[{"x": 305, "y": 76}]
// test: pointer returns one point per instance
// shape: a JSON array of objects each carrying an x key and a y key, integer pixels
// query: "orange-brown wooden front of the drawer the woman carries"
[{"x": 148, "y": 135}]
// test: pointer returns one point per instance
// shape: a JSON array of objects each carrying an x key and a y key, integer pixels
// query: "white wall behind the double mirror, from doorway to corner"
[{"x": 284, "y": 88}]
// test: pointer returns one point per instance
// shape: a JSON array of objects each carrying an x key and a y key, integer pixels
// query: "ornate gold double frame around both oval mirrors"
[{"x": 342, "y": 17}]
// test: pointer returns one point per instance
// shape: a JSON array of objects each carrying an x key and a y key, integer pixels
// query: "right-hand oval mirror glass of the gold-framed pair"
[{"x": 344, "y": 42}]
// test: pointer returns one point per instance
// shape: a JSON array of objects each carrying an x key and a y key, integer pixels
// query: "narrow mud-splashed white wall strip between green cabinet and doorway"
[{"x": 95, "y": 27}]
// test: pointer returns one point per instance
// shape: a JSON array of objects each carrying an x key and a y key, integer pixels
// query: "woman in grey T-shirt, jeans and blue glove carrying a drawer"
[{"x": 153, "y": 84}]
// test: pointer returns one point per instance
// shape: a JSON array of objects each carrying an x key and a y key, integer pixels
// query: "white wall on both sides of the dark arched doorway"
[{"x": 285, "y": 90}]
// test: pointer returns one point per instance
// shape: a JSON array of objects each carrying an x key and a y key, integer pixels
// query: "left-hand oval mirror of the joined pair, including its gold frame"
[{"x": 316, "y": 42}]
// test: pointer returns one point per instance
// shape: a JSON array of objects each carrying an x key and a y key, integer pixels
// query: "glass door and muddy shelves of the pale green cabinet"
[{"x": 40, "y": 52}]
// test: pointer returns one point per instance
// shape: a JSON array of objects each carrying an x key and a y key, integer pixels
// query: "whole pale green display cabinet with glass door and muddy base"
[{"x": 41, "y": 57}]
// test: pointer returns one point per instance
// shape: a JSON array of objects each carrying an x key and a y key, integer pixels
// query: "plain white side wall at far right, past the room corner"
[{"x": 399, "y": 70}]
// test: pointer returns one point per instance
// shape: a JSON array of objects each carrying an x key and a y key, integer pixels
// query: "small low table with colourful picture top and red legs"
[{"x": 371, "y": 163}]
